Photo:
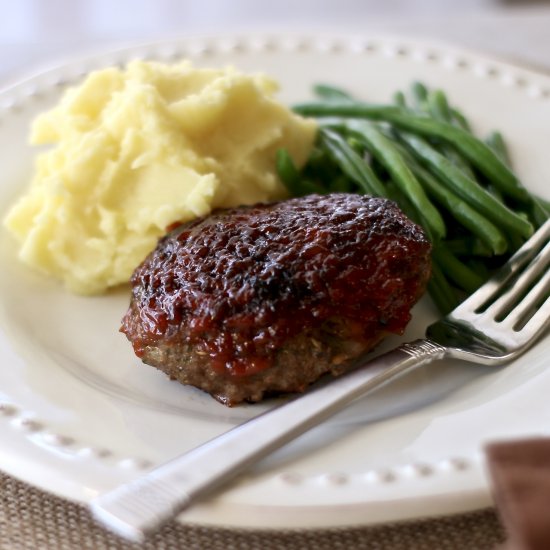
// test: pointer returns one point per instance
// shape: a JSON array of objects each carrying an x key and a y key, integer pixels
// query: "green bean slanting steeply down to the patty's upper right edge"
[{"x": 383, "y": 149}]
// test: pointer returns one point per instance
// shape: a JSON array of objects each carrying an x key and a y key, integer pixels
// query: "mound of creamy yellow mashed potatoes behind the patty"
[{"x": 136, "y": 150}]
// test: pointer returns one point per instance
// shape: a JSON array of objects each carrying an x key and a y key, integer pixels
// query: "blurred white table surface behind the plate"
[{"x": 38, "y": 33}]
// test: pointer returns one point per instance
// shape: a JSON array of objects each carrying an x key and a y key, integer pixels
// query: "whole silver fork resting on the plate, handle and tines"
[{"x": 495, "y": 325}]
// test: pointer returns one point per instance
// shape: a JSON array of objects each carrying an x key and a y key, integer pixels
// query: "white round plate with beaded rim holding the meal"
[{"x": 79, "y": 414}]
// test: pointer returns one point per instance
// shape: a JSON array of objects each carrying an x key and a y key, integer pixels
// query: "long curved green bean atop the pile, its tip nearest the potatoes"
[{"x": 477, "y": 152}]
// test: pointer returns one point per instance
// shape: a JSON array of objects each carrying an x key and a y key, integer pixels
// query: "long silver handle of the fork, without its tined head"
[{"x": 136, "y": 508}]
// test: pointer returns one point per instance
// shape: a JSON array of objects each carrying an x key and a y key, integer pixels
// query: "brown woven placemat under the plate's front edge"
[{"x": 33, "y": 520}]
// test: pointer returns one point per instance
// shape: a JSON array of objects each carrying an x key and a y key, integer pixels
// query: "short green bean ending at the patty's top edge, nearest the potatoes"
[{"x": 351, "y": 163}]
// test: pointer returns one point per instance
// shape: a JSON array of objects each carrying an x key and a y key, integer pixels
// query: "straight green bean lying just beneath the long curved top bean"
[{"x": 465, "y": 188}]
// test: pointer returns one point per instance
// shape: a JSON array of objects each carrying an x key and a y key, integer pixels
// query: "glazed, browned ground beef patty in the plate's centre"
[{"x": 265, "y": 299}]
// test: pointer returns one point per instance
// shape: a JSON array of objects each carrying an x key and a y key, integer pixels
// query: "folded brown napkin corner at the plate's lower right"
[{"x": 520, "y": 475}]
